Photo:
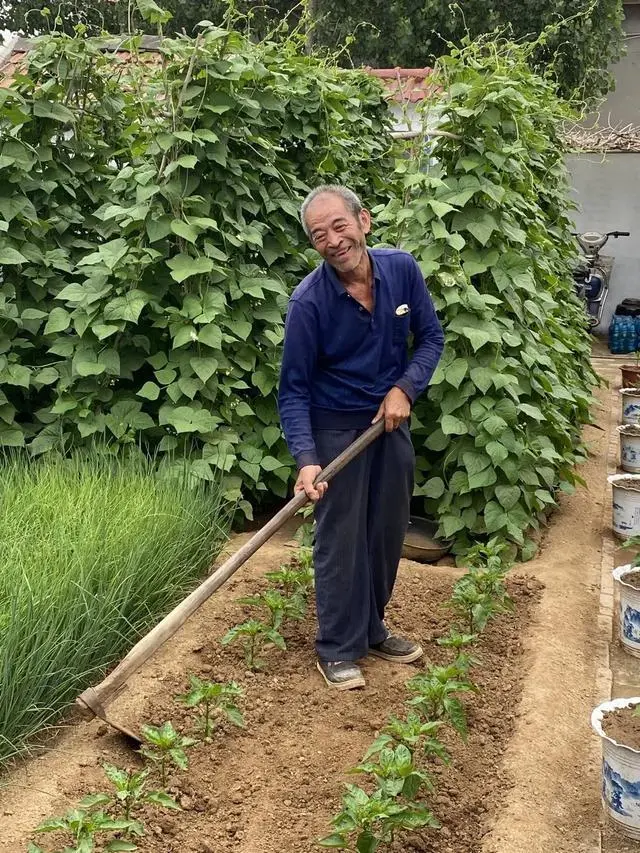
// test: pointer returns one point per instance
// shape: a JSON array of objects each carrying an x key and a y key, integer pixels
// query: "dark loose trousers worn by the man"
[{"x": 360, "y": 527}]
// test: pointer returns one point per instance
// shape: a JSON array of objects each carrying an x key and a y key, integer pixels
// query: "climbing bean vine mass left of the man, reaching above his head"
[{"x": 149, "y": 239}]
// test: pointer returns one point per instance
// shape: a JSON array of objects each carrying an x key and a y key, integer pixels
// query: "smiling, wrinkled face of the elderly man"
[{"x": 336, "y": 233}]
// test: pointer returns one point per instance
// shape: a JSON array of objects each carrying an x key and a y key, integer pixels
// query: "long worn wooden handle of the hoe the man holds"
[{"x": 95, "y": 698}]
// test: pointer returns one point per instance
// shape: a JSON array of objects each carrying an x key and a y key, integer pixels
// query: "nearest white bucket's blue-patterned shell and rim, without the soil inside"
[{"x": 620, "y": 773}]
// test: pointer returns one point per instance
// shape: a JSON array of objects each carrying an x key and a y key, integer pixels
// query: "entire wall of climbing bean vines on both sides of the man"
[{"x": 150, "y": 244}]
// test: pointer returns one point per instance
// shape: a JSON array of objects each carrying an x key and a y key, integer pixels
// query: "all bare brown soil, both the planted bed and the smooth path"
[{"x": 527, "y": 779}]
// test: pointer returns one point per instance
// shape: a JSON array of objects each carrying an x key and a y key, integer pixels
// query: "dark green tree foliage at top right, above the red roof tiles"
[{"x": 411, "y": 33}]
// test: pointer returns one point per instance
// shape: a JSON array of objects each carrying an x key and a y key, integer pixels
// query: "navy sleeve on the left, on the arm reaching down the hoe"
[{"x": 296, "y": 375}]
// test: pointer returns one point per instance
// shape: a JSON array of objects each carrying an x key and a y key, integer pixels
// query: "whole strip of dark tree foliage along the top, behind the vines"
[{"x": 381, "y": 33}]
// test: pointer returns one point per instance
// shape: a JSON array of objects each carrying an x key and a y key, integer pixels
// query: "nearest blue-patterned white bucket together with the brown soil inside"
[{"x": 618, "y": 727}]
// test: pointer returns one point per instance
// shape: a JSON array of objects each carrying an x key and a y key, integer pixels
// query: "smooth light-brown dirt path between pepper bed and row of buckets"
[{"x": 553, "y": 758}]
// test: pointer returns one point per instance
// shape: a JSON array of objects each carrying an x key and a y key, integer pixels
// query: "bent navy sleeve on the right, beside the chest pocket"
[{"x": 428, "y": 336}]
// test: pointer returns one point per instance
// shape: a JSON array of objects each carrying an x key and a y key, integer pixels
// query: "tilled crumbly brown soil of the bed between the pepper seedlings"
[{"x": 275, "y": 785}]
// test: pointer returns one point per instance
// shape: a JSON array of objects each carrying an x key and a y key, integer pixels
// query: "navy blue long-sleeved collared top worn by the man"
[{"x": 340, "y": 361}]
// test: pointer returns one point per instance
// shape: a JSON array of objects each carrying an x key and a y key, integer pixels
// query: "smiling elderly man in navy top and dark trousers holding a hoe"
[{"x": 346, "y": 365}]
